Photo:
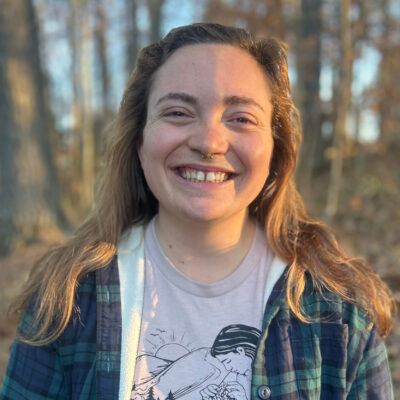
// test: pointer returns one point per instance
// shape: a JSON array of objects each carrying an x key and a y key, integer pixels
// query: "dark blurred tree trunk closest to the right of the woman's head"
[{"x": 308, "y": 71}]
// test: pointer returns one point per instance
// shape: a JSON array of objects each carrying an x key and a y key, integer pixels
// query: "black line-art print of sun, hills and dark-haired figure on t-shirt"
[{"x": 175, "y": 371}]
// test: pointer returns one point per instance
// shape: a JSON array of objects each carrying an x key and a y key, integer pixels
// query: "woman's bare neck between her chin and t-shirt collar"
[{"x": 205, "y": 251}]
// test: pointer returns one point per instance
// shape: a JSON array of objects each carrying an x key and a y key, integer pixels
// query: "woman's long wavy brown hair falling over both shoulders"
[{"x": 123, "y": 200}]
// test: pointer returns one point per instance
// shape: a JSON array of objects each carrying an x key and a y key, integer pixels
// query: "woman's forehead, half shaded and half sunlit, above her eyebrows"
[{"x": 211, "y": 70}]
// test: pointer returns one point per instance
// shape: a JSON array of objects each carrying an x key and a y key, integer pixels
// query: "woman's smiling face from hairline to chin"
[{"x": 207, "y": 98}]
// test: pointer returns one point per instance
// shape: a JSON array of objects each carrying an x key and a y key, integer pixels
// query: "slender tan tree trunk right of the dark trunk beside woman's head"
[{"x": 344, "y": 102}]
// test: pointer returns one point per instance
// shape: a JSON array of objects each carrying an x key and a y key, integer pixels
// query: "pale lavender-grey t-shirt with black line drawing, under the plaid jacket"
[{"x": 198, "y": 340}]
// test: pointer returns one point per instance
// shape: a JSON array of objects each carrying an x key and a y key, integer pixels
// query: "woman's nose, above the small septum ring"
[{"x": 210, "y": 137}]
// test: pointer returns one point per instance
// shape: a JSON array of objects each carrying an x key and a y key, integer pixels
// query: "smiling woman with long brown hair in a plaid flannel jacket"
[{"x": 198, "y": 226}]
